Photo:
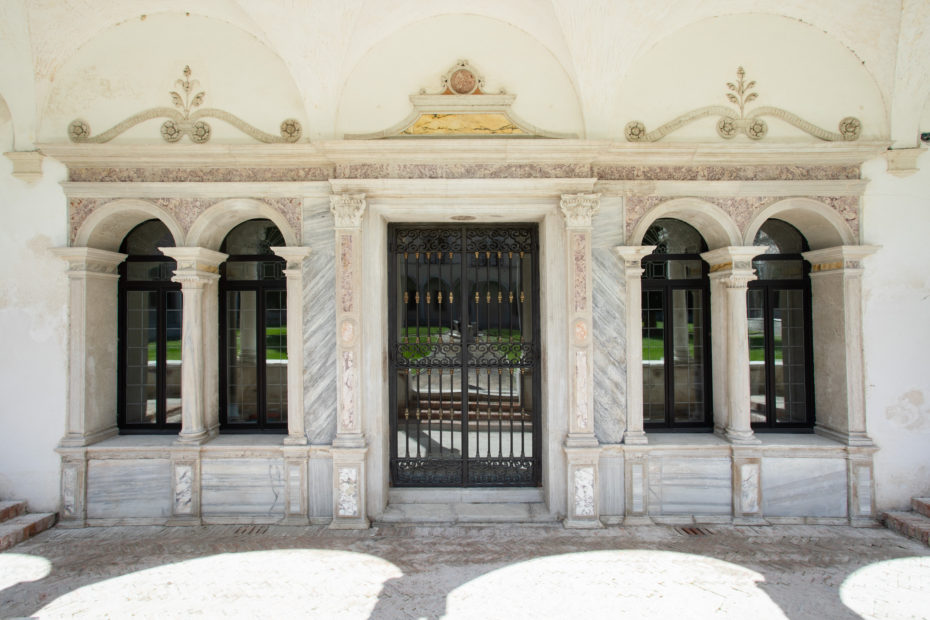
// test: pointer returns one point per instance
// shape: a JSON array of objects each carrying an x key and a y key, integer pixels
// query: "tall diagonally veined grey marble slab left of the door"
[{"x": 319, "y": 325}]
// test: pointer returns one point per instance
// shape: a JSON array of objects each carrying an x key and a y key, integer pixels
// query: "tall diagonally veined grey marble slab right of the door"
[{"x": 609, "y": 310}]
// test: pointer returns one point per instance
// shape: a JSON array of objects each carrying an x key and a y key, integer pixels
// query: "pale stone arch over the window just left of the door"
[{"x": 212, "y": 226}]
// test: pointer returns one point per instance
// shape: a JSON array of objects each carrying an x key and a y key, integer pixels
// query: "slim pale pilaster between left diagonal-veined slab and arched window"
[{"x": 296, "y": 435}]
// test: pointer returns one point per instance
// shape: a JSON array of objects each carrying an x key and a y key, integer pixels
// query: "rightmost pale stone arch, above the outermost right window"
[{"x": 821, "y": 226}]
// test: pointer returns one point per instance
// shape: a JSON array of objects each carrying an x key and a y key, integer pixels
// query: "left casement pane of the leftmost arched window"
[{"x": 141, "y": 357}]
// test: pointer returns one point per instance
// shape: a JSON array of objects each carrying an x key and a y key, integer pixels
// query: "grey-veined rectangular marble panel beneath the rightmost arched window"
[{"x": 803, "y": 487}]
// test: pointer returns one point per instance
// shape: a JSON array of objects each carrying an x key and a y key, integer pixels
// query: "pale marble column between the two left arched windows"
[{"x": 198, "y": 274}]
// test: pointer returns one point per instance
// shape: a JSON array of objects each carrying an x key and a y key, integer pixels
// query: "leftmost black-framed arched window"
[{"x": 149, "y": 382}]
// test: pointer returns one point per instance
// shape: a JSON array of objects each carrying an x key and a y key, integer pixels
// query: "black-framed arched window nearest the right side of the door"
[{"x": 676, "y": 329}]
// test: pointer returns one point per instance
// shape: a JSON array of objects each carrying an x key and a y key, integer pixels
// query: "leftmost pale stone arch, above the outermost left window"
[{"x": 105, "y": 228}]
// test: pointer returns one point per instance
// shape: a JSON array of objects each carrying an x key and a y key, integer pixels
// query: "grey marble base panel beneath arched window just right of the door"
[{"x": 696, "y": 486}]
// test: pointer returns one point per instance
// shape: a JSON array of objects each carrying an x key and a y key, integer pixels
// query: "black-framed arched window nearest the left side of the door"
[{"x": 253, "y": 330}]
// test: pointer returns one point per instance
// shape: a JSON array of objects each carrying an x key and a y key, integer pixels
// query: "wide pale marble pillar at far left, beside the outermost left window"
[{"x": 92, "y": 344}]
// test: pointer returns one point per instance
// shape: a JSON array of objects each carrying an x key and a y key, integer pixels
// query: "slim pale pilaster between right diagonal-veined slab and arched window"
[{"x": 632, "y": 257}]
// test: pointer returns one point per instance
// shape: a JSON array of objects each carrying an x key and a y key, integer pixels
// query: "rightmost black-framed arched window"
[{"x": 779, "y": 310}]
